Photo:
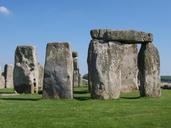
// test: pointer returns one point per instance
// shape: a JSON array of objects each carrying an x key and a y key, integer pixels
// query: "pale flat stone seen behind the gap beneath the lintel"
[{"x": 129, "y": 68}]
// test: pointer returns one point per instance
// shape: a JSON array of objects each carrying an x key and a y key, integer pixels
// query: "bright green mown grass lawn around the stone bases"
[{"x": 130, "y": 111}]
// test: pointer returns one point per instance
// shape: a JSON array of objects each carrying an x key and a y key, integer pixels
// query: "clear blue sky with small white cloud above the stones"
[{"x": 38, "y": 22}]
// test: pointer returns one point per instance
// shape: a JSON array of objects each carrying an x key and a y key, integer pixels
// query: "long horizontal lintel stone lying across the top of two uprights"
[{"x": 124, "y": 36}]
